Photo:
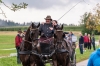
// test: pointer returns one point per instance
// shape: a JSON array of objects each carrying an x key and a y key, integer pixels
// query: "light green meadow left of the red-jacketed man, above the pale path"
[{"x": 6, "y": 42}]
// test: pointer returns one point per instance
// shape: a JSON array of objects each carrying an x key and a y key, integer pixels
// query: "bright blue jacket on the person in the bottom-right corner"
[{"x": 94, "y": 59}]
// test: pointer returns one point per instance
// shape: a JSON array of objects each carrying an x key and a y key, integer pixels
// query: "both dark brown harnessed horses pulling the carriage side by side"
[{"x": 29, "y": 50}]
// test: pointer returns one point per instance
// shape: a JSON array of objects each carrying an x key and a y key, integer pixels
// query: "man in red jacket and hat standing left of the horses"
[{"x": 18, "y": 40}]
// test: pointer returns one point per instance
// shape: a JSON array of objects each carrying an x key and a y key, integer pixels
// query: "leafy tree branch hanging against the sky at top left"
[{"x": 14, "y": 7}]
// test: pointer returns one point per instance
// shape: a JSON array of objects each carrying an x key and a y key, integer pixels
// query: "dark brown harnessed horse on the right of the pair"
[{"x": 63, "y": 47}]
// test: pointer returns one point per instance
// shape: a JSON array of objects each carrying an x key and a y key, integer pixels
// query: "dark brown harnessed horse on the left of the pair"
[{"x": 28, "y": 45}]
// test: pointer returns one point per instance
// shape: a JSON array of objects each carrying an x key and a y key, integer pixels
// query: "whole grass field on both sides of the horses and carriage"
[{"x": 7, "y": 41}]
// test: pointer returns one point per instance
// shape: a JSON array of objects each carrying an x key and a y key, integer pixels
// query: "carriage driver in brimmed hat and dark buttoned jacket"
[{"x": 46, "y": 30}]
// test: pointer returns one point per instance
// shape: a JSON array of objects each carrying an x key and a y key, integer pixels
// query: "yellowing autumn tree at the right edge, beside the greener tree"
[{"x": 93, "y": 22}]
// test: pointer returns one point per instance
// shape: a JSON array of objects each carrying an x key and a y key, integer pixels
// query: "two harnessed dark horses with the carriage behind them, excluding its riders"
[{"x": 55, "y": 50}]
